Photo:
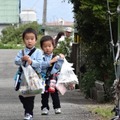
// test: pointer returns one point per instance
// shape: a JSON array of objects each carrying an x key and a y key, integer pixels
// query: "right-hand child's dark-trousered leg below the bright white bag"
[{"x": 55, "y": 99}]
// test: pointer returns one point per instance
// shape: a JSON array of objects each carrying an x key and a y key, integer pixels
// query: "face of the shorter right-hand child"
[{"x": 47, "y": 47}]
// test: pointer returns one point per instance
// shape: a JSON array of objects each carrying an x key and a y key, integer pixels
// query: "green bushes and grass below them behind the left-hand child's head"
[{"x": 12, "y": 35}]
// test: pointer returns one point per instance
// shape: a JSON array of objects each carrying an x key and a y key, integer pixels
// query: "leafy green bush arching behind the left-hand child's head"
[{"x": 13, "y": 34}]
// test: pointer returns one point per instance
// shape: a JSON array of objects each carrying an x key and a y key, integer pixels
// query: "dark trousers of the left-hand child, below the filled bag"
[{"x": 28, "y": 103}]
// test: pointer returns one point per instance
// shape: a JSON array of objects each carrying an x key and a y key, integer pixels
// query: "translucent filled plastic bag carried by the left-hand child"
[{"x": 32, "y": 83}]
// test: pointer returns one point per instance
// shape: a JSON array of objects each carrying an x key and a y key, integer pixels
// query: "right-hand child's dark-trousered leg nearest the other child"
[{"x": 44, "y": 100}]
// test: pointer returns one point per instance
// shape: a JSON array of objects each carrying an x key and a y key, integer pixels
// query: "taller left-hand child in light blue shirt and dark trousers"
[{"x": 29, "y": 38}]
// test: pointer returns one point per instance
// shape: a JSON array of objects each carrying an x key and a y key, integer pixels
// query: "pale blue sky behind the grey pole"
[{"x": 56, "y": 9}]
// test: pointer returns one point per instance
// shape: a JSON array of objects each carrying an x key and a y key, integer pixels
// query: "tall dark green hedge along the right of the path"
[{"x": 93, "y": 27}]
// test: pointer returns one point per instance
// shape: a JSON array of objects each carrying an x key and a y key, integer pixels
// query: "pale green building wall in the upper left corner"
[{"x": 9, "y": 11}]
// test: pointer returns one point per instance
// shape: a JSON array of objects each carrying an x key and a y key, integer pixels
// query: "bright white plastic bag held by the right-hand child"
[{"x": 67, "y": 78}]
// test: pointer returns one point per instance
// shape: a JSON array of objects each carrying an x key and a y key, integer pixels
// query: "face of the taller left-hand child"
[{"x": 29, "y": 40}]
